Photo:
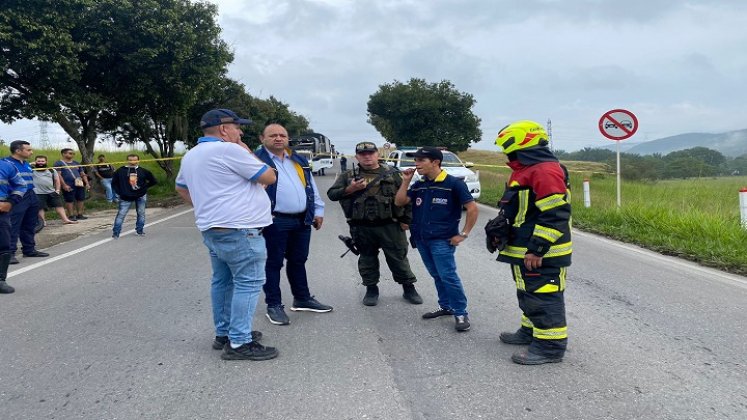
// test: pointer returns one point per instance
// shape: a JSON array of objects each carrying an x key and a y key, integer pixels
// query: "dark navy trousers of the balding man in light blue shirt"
[{"x": 286, "y": 239}]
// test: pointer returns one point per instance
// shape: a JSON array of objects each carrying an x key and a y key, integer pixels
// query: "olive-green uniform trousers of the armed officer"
[{"x": 391, "y": 239}]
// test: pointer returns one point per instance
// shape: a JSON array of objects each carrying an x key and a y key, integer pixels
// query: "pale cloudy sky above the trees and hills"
[{"x": 680, "y": 66}]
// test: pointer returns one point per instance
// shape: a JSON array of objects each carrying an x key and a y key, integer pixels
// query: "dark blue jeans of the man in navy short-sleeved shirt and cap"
[{"x": 438, "y": 258}]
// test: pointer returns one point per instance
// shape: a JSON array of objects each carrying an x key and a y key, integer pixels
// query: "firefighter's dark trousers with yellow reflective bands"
[{"x": 540, "y": 295}]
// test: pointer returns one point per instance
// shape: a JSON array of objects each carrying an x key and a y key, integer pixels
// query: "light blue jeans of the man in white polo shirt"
[{"x": 238, "y": 259}]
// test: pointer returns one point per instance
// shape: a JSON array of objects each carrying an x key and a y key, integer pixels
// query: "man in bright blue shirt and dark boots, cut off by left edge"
[{"x": 12, "y": 189}]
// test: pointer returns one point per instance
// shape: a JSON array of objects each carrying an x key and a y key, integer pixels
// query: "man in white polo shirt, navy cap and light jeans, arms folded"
[{"x": 224, "y": 182}]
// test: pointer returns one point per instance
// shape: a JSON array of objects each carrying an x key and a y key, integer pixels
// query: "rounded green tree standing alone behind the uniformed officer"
[{"x": 424, "y": 114}]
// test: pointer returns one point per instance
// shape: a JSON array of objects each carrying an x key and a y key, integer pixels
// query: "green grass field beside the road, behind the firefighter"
[{"x": 697, "y": 219}]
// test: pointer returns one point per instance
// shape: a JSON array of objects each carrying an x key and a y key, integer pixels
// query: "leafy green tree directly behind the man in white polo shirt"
[{"x": 176, "y": 55}]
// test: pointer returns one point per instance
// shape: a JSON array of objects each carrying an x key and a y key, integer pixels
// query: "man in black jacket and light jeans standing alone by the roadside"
[{"x": 131, "y": 184}]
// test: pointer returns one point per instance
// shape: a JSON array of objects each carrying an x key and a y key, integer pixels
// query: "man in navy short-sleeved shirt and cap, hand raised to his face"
[{"x": 437, "y": 200}]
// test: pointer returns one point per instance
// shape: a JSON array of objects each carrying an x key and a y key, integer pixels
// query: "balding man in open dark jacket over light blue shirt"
[{"x": 296, "y": 206}]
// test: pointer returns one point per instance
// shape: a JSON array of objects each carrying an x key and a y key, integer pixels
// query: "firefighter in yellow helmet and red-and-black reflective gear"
[{"x": 537, "y": 243}]
